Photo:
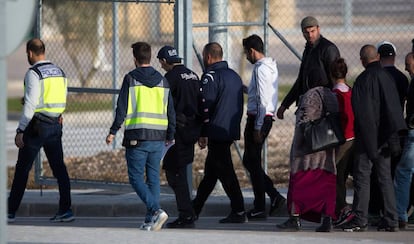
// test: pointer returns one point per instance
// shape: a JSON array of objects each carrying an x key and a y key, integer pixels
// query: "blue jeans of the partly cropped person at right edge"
[{"x": 403, "y": 175}]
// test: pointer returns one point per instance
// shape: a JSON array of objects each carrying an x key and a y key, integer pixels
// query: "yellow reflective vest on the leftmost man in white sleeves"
[{"x": 53, "y": 90}]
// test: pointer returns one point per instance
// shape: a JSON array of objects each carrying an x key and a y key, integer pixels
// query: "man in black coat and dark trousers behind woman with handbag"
[{"x": 378, "y": 115}]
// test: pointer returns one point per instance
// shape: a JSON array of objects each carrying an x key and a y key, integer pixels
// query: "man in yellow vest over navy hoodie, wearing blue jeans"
[{"x": 145, "y": 104}]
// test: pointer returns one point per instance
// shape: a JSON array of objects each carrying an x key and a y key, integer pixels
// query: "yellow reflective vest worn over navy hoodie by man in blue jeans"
[{"x": 147, "y": 107}]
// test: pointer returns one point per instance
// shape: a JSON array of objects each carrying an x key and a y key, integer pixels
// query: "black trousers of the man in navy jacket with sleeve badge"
[{"x": 219, "y": 166}]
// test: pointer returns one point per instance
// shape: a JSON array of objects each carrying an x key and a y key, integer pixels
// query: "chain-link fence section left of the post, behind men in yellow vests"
[{"x": 91, "y": 41}]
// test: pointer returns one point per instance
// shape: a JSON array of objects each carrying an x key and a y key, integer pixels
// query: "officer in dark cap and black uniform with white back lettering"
[{"x": 185, "y": 89}]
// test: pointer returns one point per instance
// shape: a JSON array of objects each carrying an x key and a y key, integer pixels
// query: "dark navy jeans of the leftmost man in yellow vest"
[{"x": 37, "y": 135}]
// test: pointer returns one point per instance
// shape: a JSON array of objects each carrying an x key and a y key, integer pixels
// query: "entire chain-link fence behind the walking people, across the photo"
[{"x": 91, "y": 41}]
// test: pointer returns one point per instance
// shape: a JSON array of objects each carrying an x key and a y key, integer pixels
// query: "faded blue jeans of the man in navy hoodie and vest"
[{"x": 144, "y": 161}]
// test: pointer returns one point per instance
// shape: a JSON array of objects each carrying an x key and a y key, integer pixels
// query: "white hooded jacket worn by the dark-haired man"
[{"x": 262, "y": 91}]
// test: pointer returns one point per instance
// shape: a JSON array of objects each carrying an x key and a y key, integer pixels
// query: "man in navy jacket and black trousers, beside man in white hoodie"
[{"x": 222, "y": 107}]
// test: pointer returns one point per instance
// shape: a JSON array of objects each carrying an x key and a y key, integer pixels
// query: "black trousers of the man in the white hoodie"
[{"x": 252, "y": 161}]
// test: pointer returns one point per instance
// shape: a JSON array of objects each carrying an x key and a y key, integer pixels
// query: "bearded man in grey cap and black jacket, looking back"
[{"x": 318, "y": 55}]
